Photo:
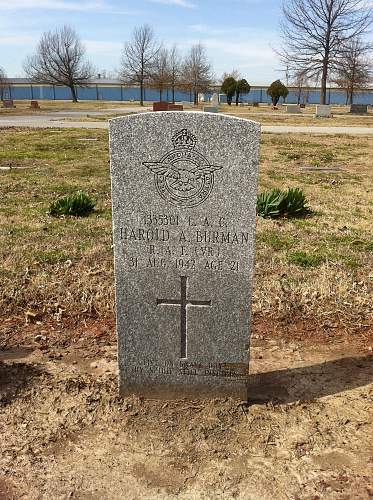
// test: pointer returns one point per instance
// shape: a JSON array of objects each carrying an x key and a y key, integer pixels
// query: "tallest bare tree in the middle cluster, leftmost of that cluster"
[{"x": 138, "y": 58}]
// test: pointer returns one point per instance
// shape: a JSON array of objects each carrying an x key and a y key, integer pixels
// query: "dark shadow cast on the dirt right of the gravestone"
[{"x": 311, "y": 382}]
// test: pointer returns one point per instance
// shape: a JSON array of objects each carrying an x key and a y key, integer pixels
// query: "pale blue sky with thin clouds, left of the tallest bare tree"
[{"x": 237, "y": 33}]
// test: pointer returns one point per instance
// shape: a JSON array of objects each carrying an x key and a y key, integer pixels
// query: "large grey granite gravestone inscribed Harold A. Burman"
[{"x": 184, "y": 189}]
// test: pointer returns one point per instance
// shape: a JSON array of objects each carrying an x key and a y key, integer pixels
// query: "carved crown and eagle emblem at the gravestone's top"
[{"x": 183, "y": 176}]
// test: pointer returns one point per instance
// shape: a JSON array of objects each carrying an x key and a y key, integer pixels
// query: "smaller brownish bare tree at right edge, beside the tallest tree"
[{"x": 354, "y": 69}]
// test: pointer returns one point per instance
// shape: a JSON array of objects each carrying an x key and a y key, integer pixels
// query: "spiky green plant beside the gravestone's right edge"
[{"x": 277, "y": 203}]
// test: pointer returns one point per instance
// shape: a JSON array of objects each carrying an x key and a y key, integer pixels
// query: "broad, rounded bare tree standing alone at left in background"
[{"x": 60, "y": 60}]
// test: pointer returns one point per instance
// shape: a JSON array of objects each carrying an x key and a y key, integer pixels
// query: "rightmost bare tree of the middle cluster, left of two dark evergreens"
[{"x": 196, "y": 73}]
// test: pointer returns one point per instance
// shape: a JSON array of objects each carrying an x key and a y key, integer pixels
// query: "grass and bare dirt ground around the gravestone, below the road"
[{"x": 307, "y": 430}]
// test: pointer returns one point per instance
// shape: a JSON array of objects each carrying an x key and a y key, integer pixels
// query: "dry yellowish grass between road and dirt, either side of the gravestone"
[{"x": 320, "y": 266}]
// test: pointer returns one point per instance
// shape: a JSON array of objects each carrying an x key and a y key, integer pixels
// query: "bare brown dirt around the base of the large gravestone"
[{"x": 306, "y": 432}]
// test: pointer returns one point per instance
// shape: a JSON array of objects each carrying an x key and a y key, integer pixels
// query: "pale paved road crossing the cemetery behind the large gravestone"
[{"x": 53, "y": 120}]
